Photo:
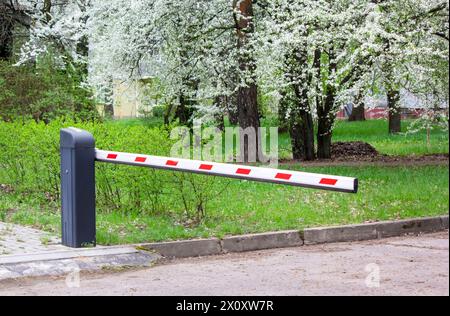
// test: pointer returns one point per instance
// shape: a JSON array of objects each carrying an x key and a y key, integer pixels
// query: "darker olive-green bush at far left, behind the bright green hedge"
[{"x": 43, "y": 92}]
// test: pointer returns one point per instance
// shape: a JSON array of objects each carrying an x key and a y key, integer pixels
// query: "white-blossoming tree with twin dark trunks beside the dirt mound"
[{"x": 320, "y": 51}]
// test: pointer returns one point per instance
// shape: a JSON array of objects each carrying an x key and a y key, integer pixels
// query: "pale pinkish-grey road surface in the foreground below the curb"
[{"x": 398, "y": 266}]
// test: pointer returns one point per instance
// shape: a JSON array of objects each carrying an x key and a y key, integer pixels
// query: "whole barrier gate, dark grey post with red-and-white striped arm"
[{"x": 78, "y": 156}]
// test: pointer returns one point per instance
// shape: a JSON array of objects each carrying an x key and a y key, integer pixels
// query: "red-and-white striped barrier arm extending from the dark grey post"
[{"x": 286, "y": 177}]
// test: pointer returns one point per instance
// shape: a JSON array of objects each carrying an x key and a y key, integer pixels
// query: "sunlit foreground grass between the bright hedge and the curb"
[{"x": 246, "y": 207}]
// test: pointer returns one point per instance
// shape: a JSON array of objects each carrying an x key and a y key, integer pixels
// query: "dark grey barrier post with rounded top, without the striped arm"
[{"x": 78, "y": 188}]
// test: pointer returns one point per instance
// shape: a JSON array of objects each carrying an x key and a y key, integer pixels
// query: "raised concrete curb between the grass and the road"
[{"x": 286, "y": 239}]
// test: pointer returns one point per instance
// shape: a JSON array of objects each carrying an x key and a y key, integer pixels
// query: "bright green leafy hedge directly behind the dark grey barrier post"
[{"x": 30, "y": 163}]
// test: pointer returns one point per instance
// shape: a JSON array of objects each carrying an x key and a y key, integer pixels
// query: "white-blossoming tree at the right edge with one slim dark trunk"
[{"x": 411, "y": 50}]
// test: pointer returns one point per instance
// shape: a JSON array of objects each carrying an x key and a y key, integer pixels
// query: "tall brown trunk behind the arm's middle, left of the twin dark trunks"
[{"x": 247, "y": 97}]
